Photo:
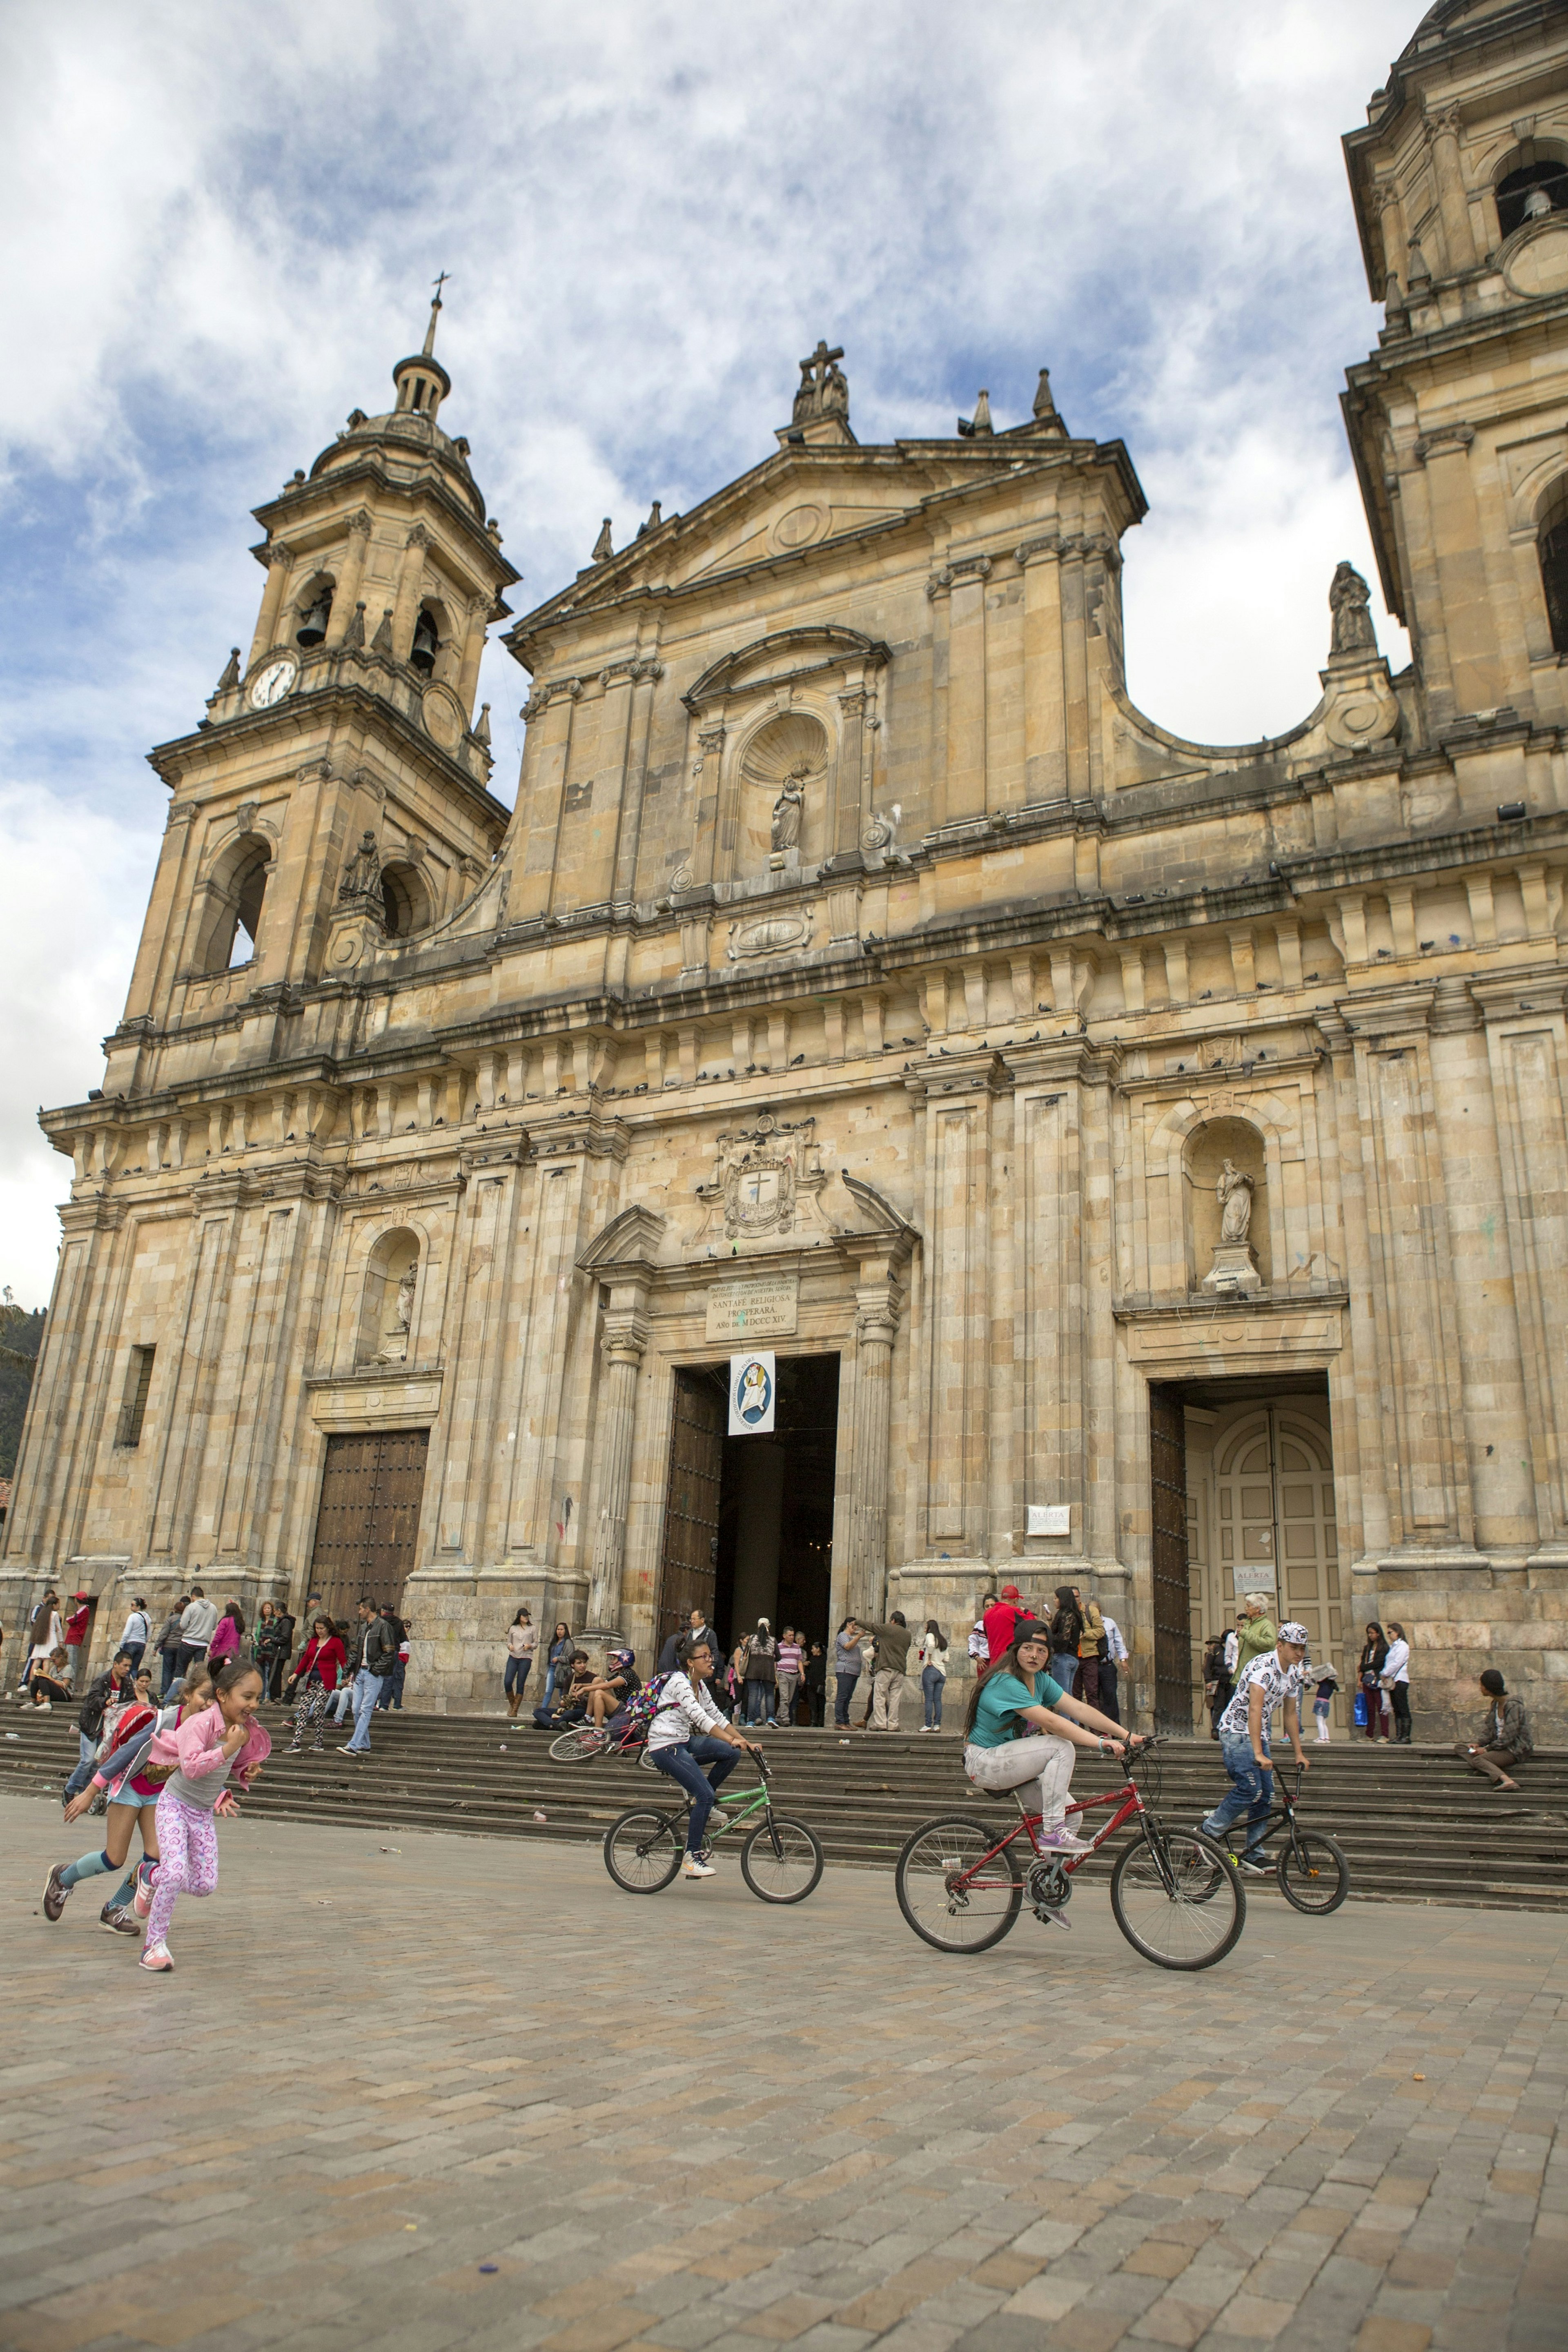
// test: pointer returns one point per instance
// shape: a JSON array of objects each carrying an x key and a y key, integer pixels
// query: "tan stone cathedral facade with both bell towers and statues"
[{"x": 1144, "y": 1161}]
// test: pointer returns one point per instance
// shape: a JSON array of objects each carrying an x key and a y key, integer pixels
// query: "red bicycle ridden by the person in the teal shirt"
[{"x": 1174, "y": 1892}]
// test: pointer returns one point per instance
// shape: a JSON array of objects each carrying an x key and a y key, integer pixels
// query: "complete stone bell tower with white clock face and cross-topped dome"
[{"x": 335, "y": 801}]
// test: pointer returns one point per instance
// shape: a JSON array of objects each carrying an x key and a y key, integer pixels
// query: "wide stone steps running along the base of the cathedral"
[{"x": 1414, "y": 1822}]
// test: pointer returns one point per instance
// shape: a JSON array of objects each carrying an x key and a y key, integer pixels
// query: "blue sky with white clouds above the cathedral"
[{"x": 222, "y": 227}]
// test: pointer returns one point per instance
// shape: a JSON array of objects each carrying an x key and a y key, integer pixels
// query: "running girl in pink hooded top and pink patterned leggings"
[{"x": 210, "y": 1749}]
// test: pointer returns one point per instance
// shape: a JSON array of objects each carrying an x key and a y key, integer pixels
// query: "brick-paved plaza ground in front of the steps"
[{"x": 690, "y": 2123}]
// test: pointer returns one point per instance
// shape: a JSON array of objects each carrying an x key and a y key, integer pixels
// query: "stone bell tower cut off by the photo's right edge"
[{"x": 1461, "y": 417}]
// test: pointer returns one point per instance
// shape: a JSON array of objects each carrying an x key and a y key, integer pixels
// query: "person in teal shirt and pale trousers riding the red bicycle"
[{"x": 1024, "y": 1728}]
